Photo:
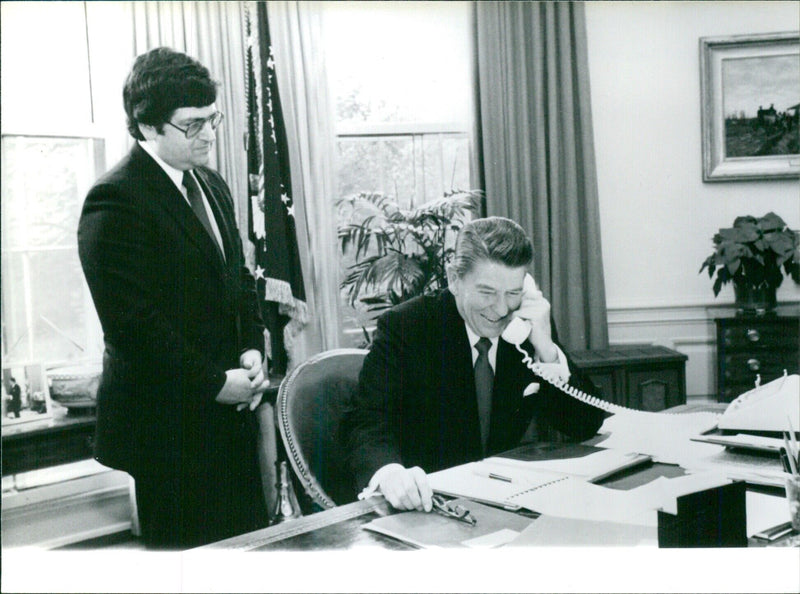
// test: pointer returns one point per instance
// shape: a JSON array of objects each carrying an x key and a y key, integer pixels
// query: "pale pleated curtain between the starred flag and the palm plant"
[{"x": 296, "y": 33}]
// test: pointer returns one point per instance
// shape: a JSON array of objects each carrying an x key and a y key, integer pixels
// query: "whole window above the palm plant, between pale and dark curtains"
[{"x": 401, "y": 78}]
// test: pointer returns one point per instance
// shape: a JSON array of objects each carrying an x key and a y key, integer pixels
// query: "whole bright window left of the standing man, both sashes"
[{"x": 50, "y": 158}]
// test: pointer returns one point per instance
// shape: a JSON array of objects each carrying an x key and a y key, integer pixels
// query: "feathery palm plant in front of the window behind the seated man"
[{"x": 392, "y": 254}]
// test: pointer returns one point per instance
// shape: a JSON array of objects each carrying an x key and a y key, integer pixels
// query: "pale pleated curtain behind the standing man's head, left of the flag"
[{"x": 213, "y": 33}]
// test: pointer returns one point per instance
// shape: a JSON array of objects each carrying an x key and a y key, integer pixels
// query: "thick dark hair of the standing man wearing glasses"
[{"x": 161, "y": 81}]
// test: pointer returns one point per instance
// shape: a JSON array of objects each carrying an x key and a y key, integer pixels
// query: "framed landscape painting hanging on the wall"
[{"x": 750, "y": 97}]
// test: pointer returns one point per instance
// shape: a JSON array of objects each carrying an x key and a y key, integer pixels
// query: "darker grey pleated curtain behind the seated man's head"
[{"x": 535, "y": 130}]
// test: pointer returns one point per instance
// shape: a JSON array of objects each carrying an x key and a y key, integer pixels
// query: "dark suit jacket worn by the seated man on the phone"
[{"x": 416, "y": 401}]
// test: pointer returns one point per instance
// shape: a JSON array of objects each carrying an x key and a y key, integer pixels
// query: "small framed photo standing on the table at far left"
[{"x": 25, "y": 394}]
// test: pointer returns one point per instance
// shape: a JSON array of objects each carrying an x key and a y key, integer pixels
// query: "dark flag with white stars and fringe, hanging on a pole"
[{"x": 279, "y": 278}]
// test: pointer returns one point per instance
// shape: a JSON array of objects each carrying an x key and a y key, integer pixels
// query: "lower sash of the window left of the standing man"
[{"x": 48, "y": 314}]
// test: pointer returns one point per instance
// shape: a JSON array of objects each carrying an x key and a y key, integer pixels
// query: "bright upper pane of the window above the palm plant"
[{"x": 399, "y": 61}]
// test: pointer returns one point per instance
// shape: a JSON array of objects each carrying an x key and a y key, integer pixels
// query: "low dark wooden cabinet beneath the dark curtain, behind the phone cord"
[{"x": 648, "y": 378}]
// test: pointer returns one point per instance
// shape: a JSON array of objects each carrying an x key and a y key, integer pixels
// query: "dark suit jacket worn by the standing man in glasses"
[{"x": 175, "y": 316}]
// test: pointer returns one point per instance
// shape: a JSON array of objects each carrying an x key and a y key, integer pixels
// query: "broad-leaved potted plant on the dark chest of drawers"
[{"x": 754, "y": 255}]
